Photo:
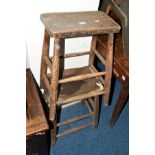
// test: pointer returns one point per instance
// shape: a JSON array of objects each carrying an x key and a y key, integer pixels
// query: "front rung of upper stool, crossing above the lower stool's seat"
[{"x": 81, "y": 77}]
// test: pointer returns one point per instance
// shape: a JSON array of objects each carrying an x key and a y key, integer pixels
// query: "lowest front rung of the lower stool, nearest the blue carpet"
[{"x": 74, "y": 129}]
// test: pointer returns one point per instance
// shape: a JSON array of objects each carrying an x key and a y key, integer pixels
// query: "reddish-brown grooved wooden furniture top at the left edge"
[{"x": 35, "y": 116}]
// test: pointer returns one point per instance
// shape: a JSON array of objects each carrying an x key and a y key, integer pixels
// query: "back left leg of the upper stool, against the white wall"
[{"x": 45, "y": 52}]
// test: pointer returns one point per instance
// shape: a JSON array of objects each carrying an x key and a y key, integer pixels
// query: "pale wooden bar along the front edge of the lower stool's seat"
[{"x": 80, "y": 97}]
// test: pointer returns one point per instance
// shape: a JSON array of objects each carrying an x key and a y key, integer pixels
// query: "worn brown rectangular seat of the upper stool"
[{"x": 78, "y": 24}]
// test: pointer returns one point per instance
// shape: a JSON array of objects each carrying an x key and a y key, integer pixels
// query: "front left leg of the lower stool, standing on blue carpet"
[{"x": 54, "y": 131}]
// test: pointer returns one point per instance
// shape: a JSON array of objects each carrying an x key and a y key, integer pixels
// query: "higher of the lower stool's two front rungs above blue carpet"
[{"x": 74, "y": 119}]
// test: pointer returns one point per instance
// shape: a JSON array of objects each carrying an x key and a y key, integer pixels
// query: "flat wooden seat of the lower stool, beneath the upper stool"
[{"x": 78, "y": 90}]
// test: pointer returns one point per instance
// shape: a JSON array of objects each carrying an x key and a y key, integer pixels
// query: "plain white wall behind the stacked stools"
[{"x": 35, "y": 31}]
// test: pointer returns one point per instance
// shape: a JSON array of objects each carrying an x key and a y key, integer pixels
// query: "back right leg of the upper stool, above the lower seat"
[{"x": 92, "y": 54}]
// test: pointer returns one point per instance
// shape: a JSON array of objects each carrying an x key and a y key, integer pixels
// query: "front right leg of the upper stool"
[{"x": 108, "y": 68}]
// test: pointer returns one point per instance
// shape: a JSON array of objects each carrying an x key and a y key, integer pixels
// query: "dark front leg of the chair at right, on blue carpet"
[{"x": 120, "y": 104}]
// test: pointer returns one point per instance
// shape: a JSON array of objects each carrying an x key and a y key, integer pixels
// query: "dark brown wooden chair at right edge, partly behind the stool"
[{"x": 118, "y": 10}]
